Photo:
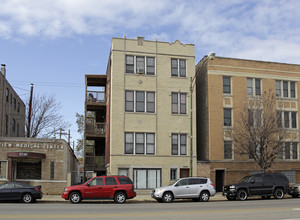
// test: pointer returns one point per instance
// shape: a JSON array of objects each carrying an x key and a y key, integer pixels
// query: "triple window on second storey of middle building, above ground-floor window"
[{"x": 139, "y": 143}]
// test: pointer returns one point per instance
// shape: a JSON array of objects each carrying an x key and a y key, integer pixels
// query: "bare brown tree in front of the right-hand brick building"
[{"x": 258, "y": 131}]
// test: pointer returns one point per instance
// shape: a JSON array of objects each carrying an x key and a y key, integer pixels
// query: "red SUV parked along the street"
[{"x": 118, "y": 188}]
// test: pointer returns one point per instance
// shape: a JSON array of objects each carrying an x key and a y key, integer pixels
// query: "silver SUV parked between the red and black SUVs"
[{"x": 196, "y": 188}]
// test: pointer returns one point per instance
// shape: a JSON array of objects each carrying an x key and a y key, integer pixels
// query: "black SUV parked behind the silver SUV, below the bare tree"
[{"x": 262, "y": 184}]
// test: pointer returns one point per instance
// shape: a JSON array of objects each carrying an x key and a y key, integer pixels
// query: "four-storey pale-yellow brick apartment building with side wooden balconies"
[{"x": 137, "y": 116}]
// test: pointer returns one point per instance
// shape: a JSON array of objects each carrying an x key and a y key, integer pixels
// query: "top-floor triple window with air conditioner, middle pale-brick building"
[{"x": 140, "y": 65}]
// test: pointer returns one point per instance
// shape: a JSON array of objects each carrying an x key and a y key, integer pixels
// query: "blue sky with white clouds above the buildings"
[{"x": 54, "y": 43}]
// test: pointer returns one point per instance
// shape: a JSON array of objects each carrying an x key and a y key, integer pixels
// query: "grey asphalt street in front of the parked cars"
[{"x": 250, "y": 209}]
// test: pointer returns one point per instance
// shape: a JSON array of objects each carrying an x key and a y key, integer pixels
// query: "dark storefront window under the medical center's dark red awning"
[{"x": 29, "y": 170}]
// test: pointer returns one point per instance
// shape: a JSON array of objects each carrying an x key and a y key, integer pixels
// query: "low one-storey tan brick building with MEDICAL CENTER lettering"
[{"x": 50, "y": 163}]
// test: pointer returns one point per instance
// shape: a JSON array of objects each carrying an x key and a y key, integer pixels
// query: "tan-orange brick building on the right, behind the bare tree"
[{"x": 222, "y": 85}]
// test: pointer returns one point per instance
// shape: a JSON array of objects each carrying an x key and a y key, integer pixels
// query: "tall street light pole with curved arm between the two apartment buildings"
[{"x": 210, "y": 56}]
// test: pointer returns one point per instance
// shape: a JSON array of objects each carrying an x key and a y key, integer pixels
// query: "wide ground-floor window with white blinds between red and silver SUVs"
[{"x": 147, "y": 178}]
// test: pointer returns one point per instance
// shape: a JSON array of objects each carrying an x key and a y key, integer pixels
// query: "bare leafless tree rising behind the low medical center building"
[{"x": 45, "y": 117}]
